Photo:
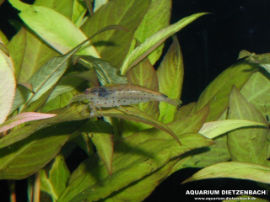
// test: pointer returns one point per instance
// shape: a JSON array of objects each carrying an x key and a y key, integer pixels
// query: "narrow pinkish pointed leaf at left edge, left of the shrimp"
[{"x": 23, "y": 118}]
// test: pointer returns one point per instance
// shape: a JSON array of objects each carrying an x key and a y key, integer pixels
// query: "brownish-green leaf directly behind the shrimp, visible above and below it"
[{"x": 145, "y": 75}]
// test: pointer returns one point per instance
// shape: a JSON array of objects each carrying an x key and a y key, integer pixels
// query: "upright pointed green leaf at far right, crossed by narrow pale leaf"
[{"x": 251, "y": 144}]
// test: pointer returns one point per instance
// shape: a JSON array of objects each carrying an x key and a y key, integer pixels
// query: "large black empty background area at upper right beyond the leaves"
[{"x": 213, "y": 42}]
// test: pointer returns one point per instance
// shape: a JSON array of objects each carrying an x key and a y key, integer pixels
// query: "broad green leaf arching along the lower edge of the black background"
[{"x": 216, "y": 95}]
